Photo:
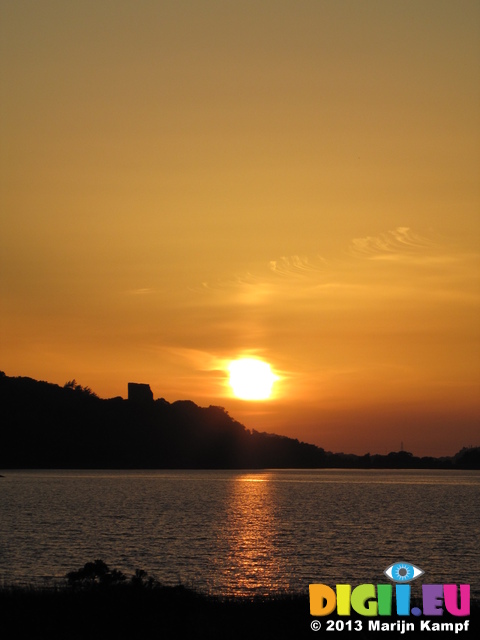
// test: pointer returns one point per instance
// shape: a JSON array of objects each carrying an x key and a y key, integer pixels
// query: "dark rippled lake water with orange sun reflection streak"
[{"x": 241, "y": 532}]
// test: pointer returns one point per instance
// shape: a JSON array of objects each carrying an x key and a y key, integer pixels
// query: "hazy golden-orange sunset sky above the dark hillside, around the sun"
[{"x": 188, "y": 182}]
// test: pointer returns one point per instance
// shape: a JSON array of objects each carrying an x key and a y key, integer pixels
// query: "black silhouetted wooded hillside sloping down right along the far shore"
[{"x": 44, "y": 425}]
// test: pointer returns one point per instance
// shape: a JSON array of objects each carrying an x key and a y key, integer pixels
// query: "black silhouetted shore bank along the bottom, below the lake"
[{"x": 129, "y": 611}]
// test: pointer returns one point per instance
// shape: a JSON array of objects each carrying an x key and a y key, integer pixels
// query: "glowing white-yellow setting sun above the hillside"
[{"x": 251, "y": 379}]
